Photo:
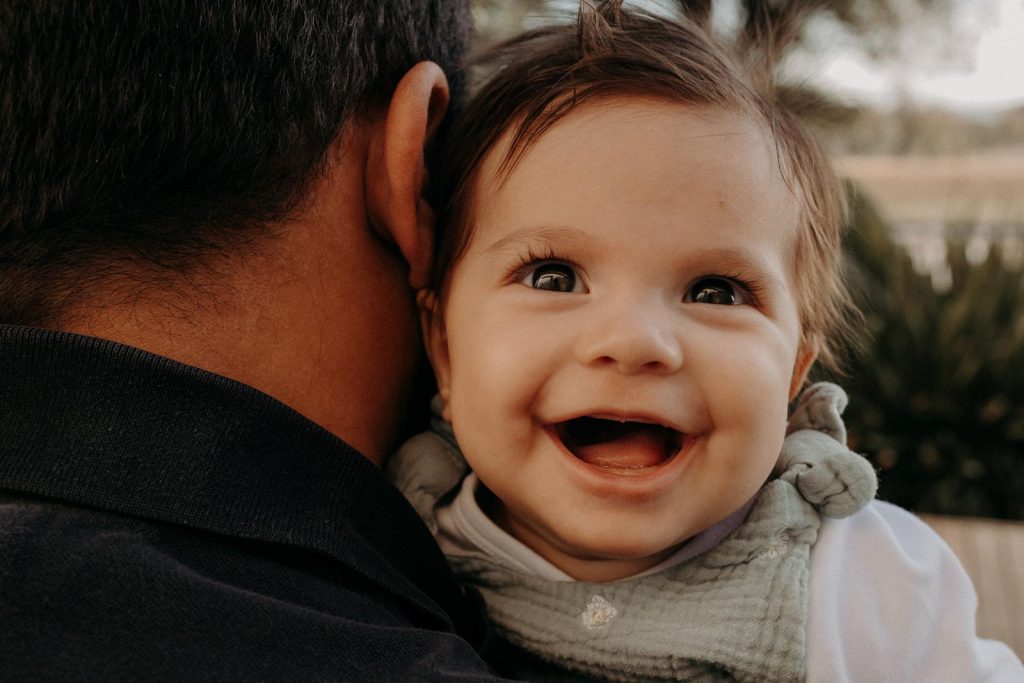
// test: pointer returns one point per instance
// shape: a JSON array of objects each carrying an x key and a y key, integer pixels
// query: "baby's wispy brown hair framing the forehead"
[{"x": 611, "y": 52}]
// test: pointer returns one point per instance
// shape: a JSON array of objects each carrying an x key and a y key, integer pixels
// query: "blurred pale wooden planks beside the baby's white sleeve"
[{"x": 993, "y": 553}]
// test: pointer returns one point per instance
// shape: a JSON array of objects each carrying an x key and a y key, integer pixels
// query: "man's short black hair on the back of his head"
[{"x": 150, "y": 134}]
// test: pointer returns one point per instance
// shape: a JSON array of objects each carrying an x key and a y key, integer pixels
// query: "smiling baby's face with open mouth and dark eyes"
[{"x": 622, "y": 334}]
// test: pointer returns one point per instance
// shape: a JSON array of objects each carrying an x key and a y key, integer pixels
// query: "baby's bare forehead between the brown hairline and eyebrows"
[{"x": 621, "y": 169}]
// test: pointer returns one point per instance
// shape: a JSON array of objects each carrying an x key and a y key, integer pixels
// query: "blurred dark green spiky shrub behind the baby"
[{"x": 937, "y": 395}]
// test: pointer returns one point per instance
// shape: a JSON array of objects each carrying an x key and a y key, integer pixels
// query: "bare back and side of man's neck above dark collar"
[{"x": 319, "y": 317}]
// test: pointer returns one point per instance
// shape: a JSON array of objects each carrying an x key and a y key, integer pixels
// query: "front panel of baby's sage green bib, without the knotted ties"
[{"x": 735, "y": 613}]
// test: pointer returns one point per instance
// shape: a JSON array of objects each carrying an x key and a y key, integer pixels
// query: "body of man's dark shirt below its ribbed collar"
[{"x": 95, "y": 594}]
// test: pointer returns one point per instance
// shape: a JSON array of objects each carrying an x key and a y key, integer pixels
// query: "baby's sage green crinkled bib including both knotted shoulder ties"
[{"x": 732, "y": 606}]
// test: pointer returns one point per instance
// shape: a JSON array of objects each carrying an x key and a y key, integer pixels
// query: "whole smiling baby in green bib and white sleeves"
[{"x": 638, "y": 266}]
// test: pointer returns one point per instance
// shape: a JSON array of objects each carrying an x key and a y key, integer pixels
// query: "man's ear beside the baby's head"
[{"x": 396, "y": 167}]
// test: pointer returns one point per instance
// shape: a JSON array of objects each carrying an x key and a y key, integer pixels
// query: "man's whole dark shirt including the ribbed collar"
[{"x": 158, "y": 522}]
